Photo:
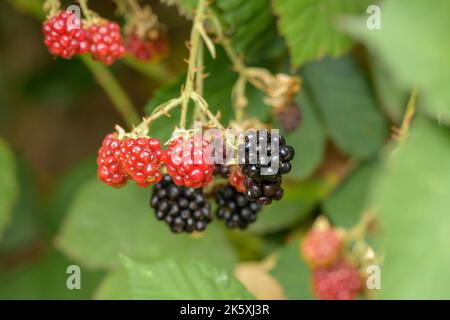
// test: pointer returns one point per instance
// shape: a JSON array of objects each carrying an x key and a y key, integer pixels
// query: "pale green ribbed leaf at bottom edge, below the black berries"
[{"x": 176, "y": 280}]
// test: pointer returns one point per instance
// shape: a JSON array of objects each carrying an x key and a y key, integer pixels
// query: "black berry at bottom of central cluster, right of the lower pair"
[{"x": 235, "y": 208}]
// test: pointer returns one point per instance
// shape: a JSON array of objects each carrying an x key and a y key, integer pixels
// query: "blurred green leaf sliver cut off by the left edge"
[{"x": 8, "y": 184}]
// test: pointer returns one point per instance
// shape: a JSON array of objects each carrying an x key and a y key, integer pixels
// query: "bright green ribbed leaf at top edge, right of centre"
[{"x": 309, "y": 27}]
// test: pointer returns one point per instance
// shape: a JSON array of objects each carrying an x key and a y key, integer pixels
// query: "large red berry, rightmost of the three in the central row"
[{"x": 186, "y": 162}]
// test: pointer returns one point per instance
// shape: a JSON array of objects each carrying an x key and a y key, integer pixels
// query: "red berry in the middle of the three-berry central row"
[{"x": 142, "y": 159}]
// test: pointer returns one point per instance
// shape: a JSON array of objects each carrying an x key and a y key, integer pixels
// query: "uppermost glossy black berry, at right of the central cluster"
[{"x": 256, "y": 156}]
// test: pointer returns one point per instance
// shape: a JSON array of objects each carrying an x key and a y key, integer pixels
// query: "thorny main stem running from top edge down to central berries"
[{"x": 195, "y": 41}]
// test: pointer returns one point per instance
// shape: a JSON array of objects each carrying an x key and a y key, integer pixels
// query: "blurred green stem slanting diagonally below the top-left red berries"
[{"x": 113, "y": 89}]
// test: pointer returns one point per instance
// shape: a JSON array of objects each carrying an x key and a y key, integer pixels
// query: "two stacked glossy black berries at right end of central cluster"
[{"x": 256, "y": 156}]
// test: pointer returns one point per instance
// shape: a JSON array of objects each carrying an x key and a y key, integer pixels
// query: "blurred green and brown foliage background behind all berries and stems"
[{"x": 356, "y": 83}]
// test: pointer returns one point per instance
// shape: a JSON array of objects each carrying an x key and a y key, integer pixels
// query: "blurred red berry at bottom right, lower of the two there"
[{"x": 339, "y": 282}]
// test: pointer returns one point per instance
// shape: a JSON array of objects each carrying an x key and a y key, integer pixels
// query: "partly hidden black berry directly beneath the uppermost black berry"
[{"x": 263, "y": 192}]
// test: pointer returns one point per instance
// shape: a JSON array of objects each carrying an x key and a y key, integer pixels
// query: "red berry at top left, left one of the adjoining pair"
[{"x": 64, "y": 35}]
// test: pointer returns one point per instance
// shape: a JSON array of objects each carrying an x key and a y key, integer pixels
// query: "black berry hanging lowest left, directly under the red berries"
[{"x": 183, "y": 209}]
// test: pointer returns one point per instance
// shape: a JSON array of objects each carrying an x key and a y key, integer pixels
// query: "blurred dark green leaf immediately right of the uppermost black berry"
[{"x": 309, "y": 140}]
